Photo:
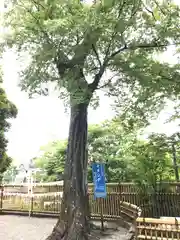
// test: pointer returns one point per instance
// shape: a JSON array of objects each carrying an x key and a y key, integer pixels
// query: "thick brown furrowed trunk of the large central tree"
[{"x": 74, "y": 218}]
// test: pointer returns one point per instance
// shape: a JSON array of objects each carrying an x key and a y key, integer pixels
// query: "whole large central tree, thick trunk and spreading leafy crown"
[{"x": 109, "y": 44}]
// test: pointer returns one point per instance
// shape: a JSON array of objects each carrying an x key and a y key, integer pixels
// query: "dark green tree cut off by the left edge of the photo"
[{"x": 7, "y": 111}]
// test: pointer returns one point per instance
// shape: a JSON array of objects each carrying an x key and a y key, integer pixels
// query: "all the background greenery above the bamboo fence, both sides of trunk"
[{"x": 127, "y": 158}]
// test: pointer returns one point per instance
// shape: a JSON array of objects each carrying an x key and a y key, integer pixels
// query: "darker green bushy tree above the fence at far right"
[{"x": 153, "y": 162}]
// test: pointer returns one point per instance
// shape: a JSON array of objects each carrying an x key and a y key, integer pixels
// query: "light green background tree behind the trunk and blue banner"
[{"x": 106, "y": 142}]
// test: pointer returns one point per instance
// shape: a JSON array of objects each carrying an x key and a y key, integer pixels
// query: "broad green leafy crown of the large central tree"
[{"x": 115, "y": 39}]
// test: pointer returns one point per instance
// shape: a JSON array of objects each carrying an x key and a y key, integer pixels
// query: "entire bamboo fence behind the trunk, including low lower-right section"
[{"x": 123, "y": 201}]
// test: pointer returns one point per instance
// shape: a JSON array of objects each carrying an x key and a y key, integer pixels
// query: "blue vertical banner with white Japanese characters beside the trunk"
[{"x": 99, "y": 180}]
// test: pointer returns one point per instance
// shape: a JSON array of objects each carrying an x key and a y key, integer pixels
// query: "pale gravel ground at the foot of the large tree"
[{"x": 25, "y": 228}]
